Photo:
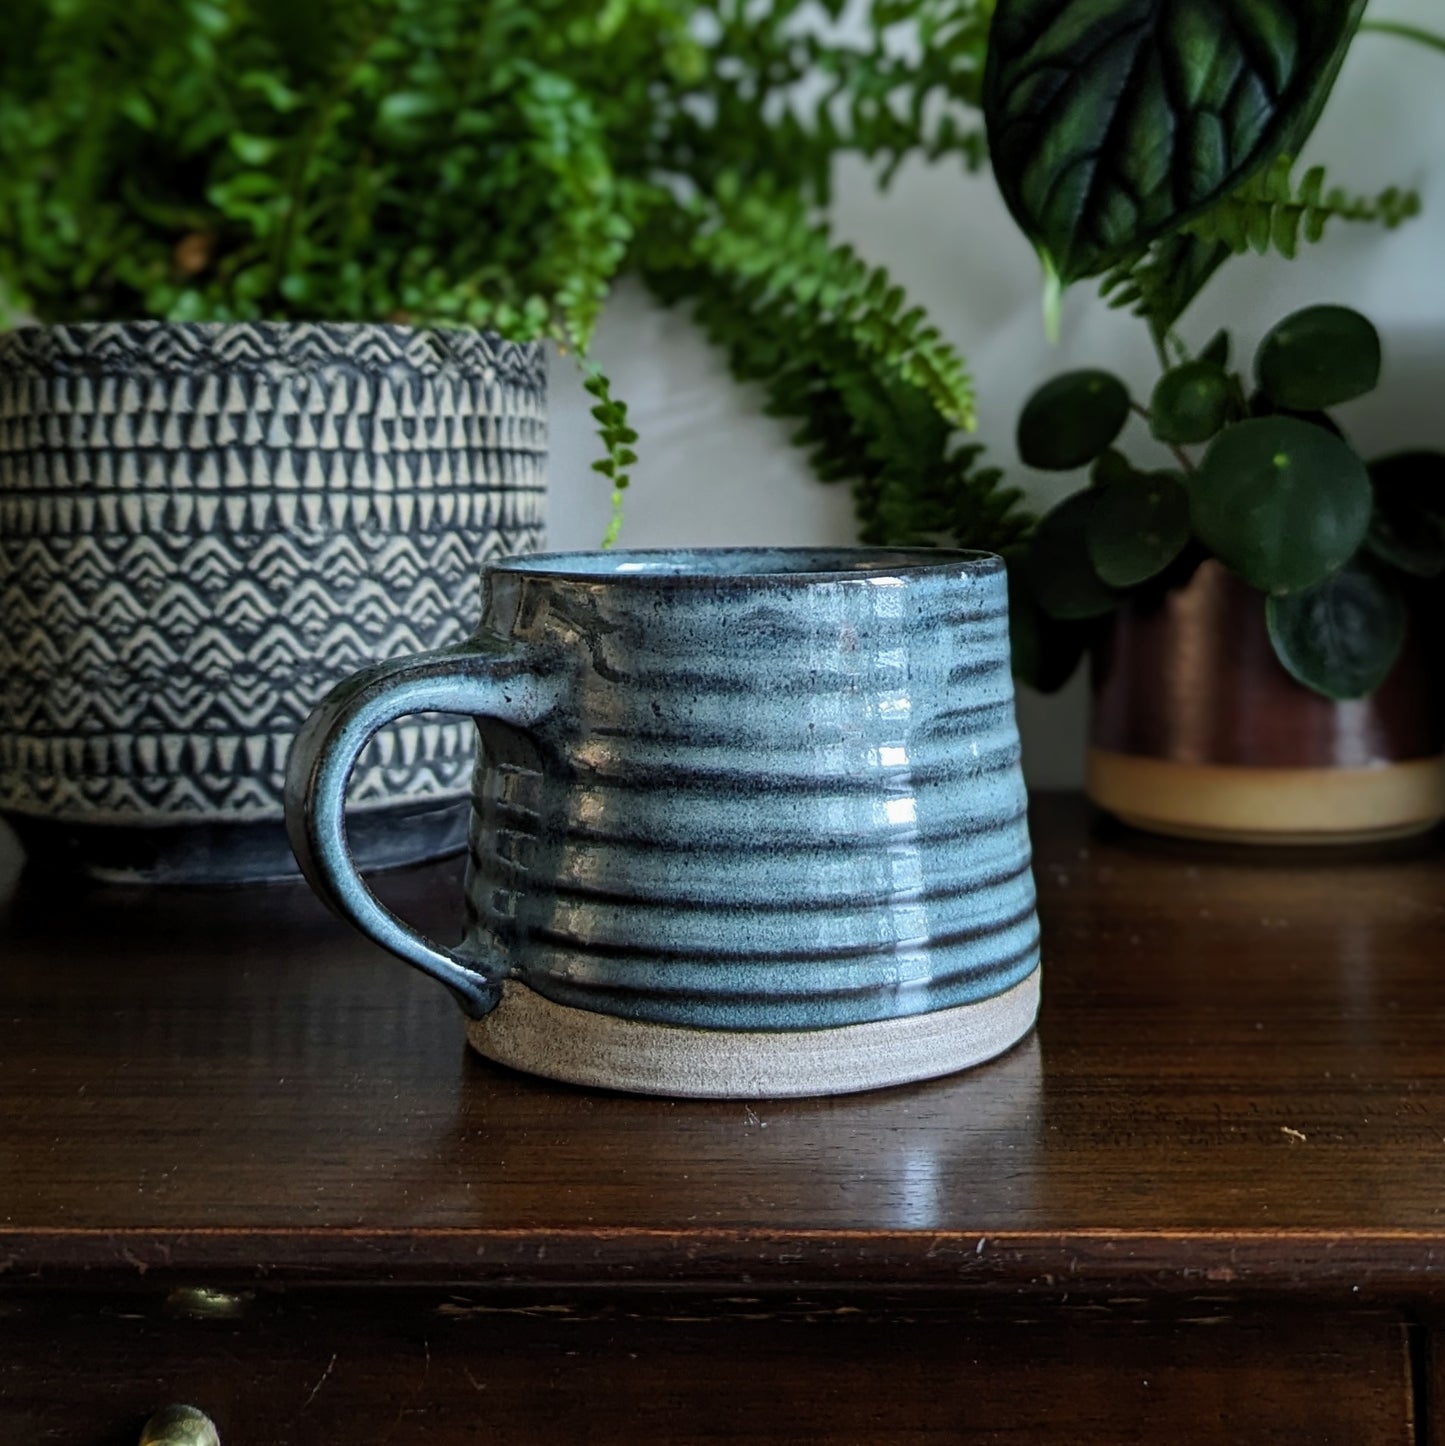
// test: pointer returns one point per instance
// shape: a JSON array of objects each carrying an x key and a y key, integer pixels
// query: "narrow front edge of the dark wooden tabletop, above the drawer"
[{"x": 1375, "y": 1266}]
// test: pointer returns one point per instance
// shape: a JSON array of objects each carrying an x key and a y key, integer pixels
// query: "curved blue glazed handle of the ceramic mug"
[{"x": 482, "y": 677}]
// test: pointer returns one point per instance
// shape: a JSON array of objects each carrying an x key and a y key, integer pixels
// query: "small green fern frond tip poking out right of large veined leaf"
[{"x": 1272, "y": 213}]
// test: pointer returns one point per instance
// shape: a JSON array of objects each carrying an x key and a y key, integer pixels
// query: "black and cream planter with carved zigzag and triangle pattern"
[{"x": 200, "y": 529}]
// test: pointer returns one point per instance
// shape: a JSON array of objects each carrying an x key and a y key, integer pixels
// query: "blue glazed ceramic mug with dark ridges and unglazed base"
[{"x": 746, "y": 823}]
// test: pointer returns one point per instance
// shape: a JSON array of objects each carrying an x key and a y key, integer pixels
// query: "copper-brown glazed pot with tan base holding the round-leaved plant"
[{"x": 1198, "y": 730}]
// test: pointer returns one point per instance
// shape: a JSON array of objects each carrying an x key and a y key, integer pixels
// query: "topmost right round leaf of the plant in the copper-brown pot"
[{"x": 1318, "y": 358}]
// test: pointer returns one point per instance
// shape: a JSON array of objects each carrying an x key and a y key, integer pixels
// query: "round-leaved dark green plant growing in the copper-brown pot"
[{"x": 1278, "y": 495}]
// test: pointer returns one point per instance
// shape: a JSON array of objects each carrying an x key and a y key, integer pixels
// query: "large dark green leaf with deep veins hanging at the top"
[{"x": 1110, "y": 122}]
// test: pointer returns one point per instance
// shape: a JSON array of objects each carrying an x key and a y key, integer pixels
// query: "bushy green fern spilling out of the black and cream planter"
[{"x": 500, "y": 164}]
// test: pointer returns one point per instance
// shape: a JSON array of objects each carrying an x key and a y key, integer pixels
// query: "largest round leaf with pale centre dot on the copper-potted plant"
[{"x": 1282, "y": 502}]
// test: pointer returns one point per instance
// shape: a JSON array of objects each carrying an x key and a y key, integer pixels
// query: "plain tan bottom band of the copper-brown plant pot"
[{"x": 1271, "y": 805}]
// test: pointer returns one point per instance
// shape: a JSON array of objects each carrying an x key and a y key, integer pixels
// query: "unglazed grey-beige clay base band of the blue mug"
[{"x": 582, "y": 1048}]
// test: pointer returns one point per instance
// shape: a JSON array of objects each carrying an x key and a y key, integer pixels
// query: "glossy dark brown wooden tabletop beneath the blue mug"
[{"x": 1239, "y": 1069}]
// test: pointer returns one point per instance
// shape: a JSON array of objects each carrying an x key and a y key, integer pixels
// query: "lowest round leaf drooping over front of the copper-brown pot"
[{"x": 1342, "y": 637}]
